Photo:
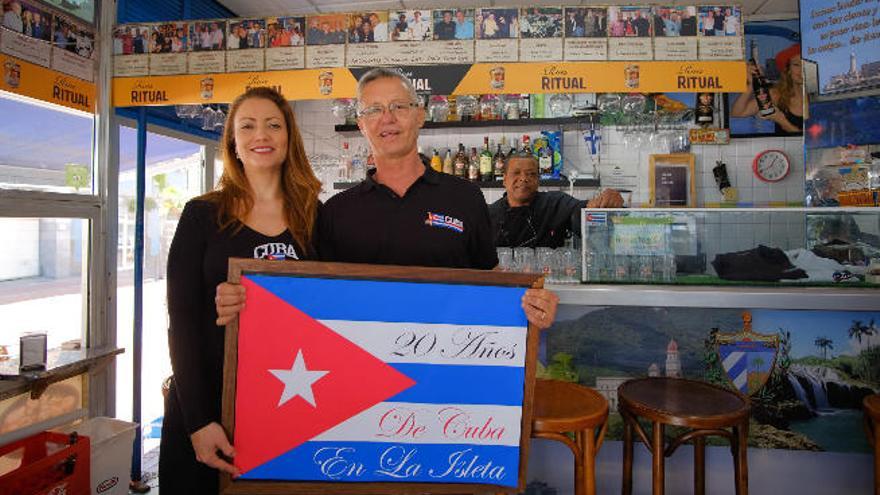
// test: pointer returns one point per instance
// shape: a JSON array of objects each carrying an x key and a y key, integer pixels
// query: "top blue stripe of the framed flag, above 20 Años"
[{"x": 370, "y": 300}]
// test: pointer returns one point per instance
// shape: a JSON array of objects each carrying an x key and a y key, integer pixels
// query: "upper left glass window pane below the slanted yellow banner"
[{"x": 45, "y": 147}]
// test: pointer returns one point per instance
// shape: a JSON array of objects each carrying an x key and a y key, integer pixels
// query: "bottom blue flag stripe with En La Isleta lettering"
[{"x": 373, "y": 462}]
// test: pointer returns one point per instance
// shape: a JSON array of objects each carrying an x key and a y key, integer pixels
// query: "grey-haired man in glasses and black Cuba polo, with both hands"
[{"x": 404, "y": 213}]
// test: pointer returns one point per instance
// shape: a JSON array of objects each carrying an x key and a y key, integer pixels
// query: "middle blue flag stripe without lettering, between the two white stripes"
[{"x": 450, "y": 384}]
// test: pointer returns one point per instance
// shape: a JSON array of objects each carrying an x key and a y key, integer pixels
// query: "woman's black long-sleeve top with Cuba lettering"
[{"x": 197, "y": 263}]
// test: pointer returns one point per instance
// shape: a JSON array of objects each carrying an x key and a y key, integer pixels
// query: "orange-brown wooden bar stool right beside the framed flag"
[{"x": 563, "y": 407}]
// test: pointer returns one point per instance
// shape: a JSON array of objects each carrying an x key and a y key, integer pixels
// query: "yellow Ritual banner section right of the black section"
[{"x": 604, "y": 77}]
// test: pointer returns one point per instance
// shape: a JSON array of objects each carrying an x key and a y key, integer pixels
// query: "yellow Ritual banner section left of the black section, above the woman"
[{"x": 310, "y": 84}]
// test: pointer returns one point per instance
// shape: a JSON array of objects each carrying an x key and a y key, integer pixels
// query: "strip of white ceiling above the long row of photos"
[{"x": 754, "y": 9}]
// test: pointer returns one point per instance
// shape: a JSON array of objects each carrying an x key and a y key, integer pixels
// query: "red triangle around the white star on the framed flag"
[{"x": 271, "y": 334}]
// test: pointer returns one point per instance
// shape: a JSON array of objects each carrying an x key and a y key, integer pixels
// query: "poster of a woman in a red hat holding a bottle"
[{"x": 774, "y": 46}]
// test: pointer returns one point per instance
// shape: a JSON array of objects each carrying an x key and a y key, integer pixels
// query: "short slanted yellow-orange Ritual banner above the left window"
[{"x": 40, "y": 83}]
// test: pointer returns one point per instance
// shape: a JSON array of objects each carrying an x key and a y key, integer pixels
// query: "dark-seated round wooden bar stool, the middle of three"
[{"x": 702, "y": 407}]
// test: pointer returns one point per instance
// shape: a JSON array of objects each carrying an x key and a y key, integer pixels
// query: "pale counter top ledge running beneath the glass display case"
[{"x": 816, "y": 298}]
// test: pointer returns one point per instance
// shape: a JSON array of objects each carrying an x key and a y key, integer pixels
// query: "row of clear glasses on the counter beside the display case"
[{"x": 559, "y": 266}]
